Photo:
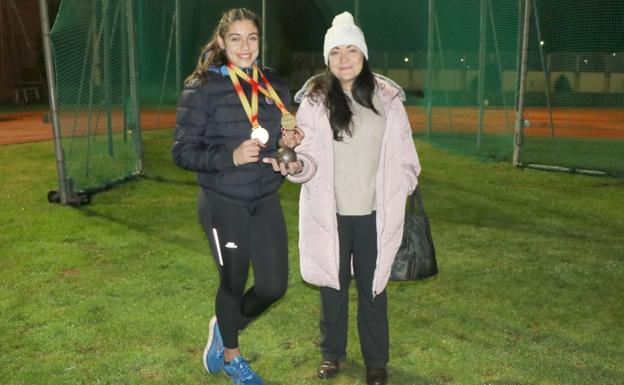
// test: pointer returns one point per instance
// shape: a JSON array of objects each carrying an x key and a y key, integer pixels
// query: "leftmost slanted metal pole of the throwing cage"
[{"x": 64, "y": 185}]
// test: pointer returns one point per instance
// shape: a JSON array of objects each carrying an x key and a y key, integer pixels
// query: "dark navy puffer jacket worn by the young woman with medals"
[{"x": 211, "y": 123}]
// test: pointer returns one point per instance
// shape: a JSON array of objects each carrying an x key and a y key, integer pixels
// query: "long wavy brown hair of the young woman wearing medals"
[{"x": 213, "y": 55}]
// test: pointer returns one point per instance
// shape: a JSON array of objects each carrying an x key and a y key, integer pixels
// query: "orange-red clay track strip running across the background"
[{"x": 22, "y": 127}]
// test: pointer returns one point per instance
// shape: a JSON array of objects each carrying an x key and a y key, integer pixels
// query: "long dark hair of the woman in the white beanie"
[{"x": 337, "y": 102}]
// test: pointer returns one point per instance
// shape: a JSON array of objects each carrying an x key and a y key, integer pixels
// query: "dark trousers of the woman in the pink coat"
[{"x": 358, "y": 237}]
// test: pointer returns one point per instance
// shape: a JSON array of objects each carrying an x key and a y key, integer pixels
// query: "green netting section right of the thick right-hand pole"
[{"x": 574, "y": 105}]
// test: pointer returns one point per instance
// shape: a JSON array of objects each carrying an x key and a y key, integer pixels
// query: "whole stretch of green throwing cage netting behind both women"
[{"x": 538, "y": 82}]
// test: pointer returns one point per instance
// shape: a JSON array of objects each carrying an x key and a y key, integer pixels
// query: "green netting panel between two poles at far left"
[{"x": 96, "y": 94}]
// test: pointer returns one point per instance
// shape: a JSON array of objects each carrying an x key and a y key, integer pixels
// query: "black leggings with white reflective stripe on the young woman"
[{"x": 238, "y": 236}]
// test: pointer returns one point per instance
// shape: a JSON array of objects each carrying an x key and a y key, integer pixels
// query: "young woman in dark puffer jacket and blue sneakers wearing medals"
[{"x": 230, "y": 115}]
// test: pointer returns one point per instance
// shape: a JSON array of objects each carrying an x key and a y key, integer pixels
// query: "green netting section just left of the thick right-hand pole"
[{"x": 470, "y": 76}]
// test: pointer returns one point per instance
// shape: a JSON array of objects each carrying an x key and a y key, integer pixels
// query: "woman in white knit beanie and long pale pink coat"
[{"x": 358, "y": 164}]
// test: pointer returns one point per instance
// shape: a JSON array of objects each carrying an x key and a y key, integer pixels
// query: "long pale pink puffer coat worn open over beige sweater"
[{"x": 397, "y": 175}]
